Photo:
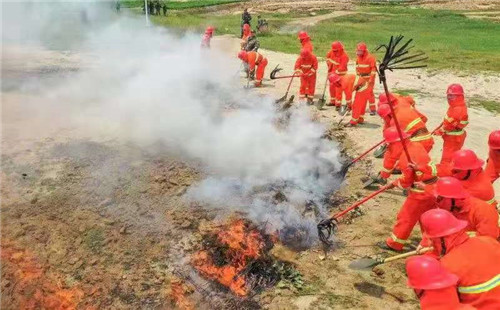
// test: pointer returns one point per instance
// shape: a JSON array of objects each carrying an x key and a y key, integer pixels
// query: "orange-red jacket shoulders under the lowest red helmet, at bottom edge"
[{"x": 442, "y": 299}]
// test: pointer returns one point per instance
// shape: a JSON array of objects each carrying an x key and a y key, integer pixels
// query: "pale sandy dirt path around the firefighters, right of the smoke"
[{"x": 379, "y": 214}]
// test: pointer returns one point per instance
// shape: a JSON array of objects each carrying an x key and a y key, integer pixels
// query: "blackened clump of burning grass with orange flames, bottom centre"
[{"x": 237, "y": 257}]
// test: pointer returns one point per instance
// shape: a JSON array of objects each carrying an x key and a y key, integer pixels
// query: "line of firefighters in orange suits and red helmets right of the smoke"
[{"x": 453, "y": 200}]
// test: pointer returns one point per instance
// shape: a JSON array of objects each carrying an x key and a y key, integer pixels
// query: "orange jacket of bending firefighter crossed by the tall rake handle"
[{"x": 427, "y": 171}]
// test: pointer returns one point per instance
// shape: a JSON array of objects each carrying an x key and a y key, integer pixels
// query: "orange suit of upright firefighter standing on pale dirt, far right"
[{"x": 453, "y": 132}]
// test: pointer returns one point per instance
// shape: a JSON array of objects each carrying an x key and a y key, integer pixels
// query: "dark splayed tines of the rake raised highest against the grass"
[{"x": 397, "y": 56}]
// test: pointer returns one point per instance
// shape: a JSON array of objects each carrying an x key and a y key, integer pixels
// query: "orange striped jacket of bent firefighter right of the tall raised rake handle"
[{"x": 413, "y": 122}]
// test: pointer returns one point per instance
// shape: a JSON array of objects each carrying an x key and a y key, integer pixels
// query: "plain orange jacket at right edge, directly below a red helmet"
[{"x": 478, "y": 185}]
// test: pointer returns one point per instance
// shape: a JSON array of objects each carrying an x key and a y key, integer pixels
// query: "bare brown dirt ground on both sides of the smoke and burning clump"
[{"x": 91, "y": 223}]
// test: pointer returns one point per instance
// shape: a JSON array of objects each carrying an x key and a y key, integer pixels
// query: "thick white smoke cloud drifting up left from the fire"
[{"x": 150, "y": 86}]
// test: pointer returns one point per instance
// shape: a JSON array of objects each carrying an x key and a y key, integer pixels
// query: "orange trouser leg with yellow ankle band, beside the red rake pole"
[{"x": 409, "y": 214}]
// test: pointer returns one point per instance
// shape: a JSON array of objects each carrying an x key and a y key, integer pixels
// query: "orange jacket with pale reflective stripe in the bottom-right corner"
[{"x": 475, "y": 262}]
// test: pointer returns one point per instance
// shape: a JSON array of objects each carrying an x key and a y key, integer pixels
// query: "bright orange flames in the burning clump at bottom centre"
[{"x": 243, "y": 245}]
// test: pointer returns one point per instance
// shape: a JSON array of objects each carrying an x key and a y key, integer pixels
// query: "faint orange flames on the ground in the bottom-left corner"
[{"x": 33, "y": 287}]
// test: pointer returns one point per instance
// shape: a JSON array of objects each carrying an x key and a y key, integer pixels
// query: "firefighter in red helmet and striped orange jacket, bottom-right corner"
[{"x": 474, "y": 260}]
